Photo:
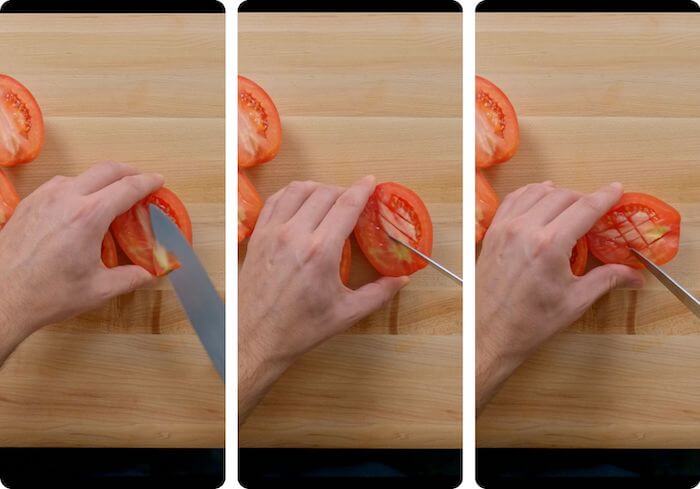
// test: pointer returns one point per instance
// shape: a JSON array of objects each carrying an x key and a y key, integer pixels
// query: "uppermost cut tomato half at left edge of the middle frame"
[{"x": 259, "y": 127}]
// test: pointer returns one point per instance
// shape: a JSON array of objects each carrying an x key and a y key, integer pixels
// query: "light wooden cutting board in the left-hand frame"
[{"x": 147, "y": 90}]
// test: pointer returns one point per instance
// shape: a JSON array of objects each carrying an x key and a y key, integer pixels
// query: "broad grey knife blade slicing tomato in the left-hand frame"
[{"x": 197, "y": 294}]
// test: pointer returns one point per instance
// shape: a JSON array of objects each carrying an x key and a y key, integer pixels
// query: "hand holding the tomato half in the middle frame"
[{"x": 291, "y": 297}]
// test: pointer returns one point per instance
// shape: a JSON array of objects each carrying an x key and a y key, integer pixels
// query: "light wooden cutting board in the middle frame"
[{"x": 361, "y": 94}]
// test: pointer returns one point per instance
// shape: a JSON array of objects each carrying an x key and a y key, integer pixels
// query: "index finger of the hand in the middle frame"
[{"x": 342, "y": 217}]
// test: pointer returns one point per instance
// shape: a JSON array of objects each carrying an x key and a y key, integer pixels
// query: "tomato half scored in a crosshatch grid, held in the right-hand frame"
[{"x": 640, "y": 221}]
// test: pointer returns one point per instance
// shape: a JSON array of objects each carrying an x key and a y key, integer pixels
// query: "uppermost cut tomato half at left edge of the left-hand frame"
[{"x": 21, "y": 123}]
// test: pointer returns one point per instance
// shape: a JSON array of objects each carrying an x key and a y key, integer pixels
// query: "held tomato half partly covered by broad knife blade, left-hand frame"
[{"x": 133, "y": 232}]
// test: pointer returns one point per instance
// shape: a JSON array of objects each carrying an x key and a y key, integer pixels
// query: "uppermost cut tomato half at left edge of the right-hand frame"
[{"x": 497, "y": 131}]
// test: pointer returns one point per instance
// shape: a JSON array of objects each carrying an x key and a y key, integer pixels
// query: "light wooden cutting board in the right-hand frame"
[{"x": 605, "y": 97}]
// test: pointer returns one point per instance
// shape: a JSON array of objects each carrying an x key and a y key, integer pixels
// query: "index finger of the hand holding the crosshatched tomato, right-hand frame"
[{"x": 579, "y": 217}]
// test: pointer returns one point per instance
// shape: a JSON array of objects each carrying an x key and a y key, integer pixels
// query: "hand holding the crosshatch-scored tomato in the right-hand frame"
[{"x": 525, "y": 290}]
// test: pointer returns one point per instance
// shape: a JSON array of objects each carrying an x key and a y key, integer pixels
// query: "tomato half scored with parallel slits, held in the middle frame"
[{"x": 396, "y": 211}]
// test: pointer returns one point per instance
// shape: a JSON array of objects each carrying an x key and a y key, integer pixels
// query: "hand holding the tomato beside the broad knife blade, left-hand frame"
[{"x": 51, "y": 249}]
